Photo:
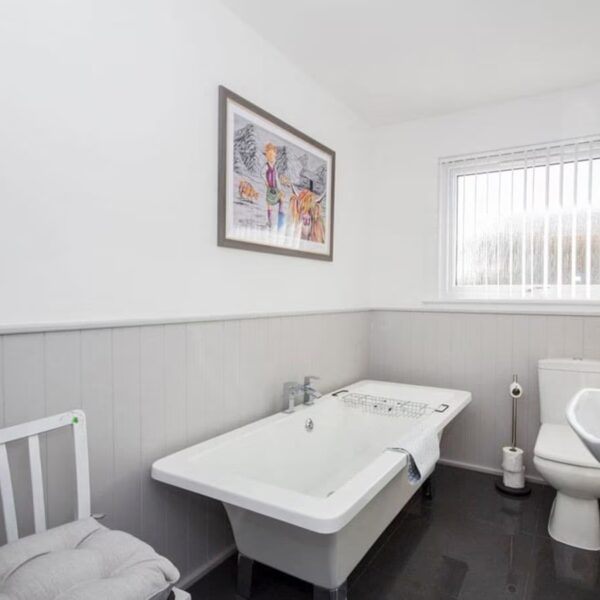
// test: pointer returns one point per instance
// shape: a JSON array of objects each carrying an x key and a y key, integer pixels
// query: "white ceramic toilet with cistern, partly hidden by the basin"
[{"x": 562, "y": 459}]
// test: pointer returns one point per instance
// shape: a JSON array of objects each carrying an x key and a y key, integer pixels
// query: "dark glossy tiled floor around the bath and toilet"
[{"x": 468, "y": 543}]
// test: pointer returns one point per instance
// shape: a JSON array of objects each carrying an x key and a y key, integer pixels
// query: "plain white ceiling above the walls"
[{"x": 394, "y": 60}]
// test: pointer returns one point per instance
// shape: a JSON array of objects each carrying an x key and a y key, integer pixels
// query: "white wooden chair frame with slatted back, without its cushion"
[{"x": 31, "y": 431}]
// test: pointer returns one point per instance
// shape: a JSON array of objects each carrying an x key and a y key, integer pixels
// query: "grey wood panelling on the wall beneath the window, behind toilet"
[{"x": 479, "y": 352}]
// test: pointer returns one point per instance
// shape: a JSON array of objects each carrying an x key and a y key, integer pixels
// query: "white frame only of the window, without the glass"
[{"x": 450, "y": 168}]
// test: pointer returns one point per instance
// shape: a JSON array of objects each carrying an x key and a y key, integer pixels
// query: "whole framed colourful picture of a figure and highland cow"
[{"x": 276, "y": 184}]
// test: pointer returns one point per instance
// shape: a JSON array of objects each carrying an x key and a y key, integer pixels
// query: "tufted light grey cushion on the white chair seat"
[{"x": 83, "y": 561}]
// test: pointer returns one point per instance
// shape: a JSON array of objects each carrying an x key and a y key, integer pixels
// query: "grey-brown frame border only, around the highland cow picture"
[{"x": 225, "y": 95}]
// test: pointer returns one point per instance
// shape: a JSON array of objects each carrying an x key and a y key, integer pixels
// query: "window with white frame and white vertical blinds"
[{"x": 522, "y": 224}]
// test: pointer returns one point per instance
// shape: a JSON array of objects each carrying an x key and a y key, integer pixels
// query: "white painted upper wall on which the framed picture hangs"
[{"x": 108, "y": 165}]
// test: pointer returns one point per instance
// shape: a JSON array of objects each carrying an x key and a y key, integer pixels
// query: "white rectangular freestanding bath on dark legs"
[{"x": 308, "y": 493}]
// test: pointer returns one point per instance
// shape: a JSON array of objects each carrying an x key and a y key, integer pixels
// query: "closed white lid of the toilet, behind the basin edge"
[{"x": 561, "y": 444}]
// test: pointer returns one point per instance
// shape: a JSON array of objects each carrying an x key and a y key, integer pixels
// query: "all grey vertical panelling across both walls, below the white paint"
[{"x": 148, "y": 391}]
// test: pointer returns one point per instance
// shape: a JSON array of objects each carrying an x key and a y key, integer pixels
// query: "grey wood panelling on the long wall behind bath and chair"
[{"x": 151, "y": 390}]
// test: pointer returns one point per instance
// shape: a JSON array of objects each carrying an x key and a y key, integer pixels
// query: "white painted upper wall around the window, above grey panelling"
[{"x": 404, "y": 197}]
